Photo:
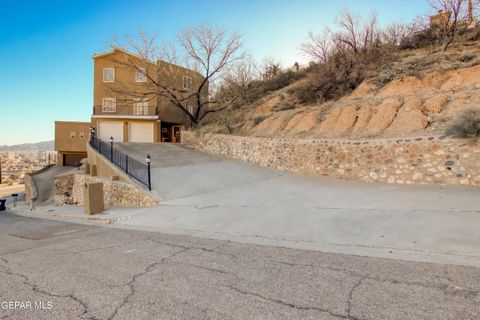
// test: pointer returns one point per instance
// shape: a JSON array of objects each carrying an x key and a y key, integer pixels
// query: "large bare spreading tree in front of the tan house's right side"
[{"x": 208, "y": 52}]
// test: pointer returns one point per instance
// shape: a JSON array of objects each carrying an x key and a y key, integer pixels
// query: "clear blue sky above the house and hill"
[{"x": 46, "y": 70}]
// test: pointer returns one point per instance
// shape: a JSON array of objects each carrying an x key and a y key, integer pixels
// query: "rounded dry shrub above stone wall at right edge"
[{"x": 466, "y": 125}]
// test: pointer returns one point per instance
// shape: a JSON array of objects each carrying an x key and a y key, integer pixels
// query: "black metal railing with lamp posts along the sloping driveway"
[{"x": 132, "y": 167}]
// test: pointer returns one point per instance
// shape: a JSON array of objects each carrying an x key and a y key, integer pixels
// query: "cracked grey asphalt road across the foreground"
[{"x": 91, "y": 272}]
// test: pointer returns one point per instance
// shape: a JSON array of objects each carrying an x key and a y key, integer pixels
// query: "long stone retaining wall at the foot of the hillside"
[{"x": 423, "y": 160}]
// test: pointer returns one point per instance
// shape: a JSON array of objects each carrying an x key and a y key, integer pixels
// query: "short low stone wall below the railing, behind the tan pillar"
[{"x": 68, "y": 189}]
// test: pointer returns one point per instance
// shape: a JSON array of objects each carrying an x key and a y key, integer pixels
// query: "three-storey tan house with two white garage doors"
[{"x": 127, "y": 105}]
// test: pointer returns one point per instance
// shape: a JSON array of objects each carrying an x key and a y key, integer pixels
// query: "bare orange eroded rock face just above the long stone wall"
[{"x": 406, "y": 106}]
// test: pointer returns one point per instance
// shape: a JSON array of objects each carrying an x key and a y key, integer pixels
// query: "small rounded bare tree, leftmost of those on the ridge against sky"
[{"x": 318, "y": 46}]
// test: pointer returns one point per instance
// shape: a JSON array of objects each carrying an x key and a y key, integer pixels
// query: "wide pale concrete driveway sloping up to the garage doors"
[{"x": 220, "y": 198}]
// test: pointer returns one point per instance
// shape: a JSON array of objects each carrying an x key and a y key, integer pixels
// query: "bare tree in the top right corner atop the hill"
[{"x": 457, "y": 16}]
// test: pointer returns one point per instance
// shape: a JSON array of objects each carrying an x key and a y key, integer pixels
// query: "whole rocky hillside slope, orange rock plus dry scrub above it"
[{"x": 417, "y": 95}]
